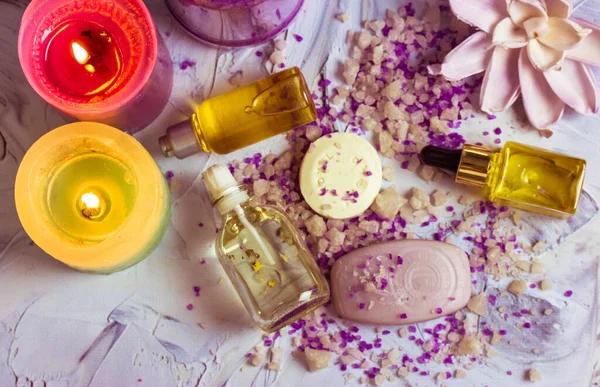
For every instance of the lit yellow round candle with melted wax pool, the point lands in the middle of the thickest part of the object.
(92, 197)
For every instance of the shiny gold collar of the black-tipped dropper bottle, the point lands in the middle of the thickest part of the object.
(473, 167)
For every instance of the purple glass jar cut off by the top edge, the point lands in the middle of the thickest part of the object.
(234, 23)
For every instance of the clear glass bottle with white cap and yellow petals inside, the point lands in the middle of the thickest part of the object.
(263, 255)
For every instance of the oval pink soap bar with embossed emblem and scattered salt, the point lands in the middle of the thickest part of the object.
(401, 282)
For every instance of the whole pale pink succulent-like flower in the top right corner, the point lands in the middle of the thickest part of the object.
(529, 48)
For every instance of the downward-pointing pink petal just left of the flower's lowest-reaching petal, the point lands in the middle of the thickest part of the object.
(500, 88)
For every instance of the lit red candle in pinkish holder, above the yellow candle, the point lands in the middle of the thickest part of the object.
(96, 60)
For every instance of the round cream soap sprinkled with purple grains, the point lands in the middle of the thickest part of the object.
(340, 175)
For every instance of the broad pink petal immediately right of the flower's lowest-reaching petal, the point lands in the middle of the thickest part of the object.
(575, 85)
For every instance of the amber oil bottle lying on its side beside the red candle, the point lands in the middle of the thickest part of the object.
(242, 117)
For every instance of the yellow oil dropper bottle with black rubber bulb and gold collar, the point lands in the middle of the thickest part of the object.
(517, 175)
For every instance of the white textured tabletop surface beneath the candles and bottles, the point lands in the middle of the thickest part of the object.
(59, 327)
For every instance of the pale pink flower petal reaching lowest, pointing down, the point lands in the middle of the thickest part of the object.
(542, 106)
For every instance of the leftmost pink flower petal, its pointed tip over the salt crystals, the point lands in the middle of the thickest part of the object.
(468, 58)
